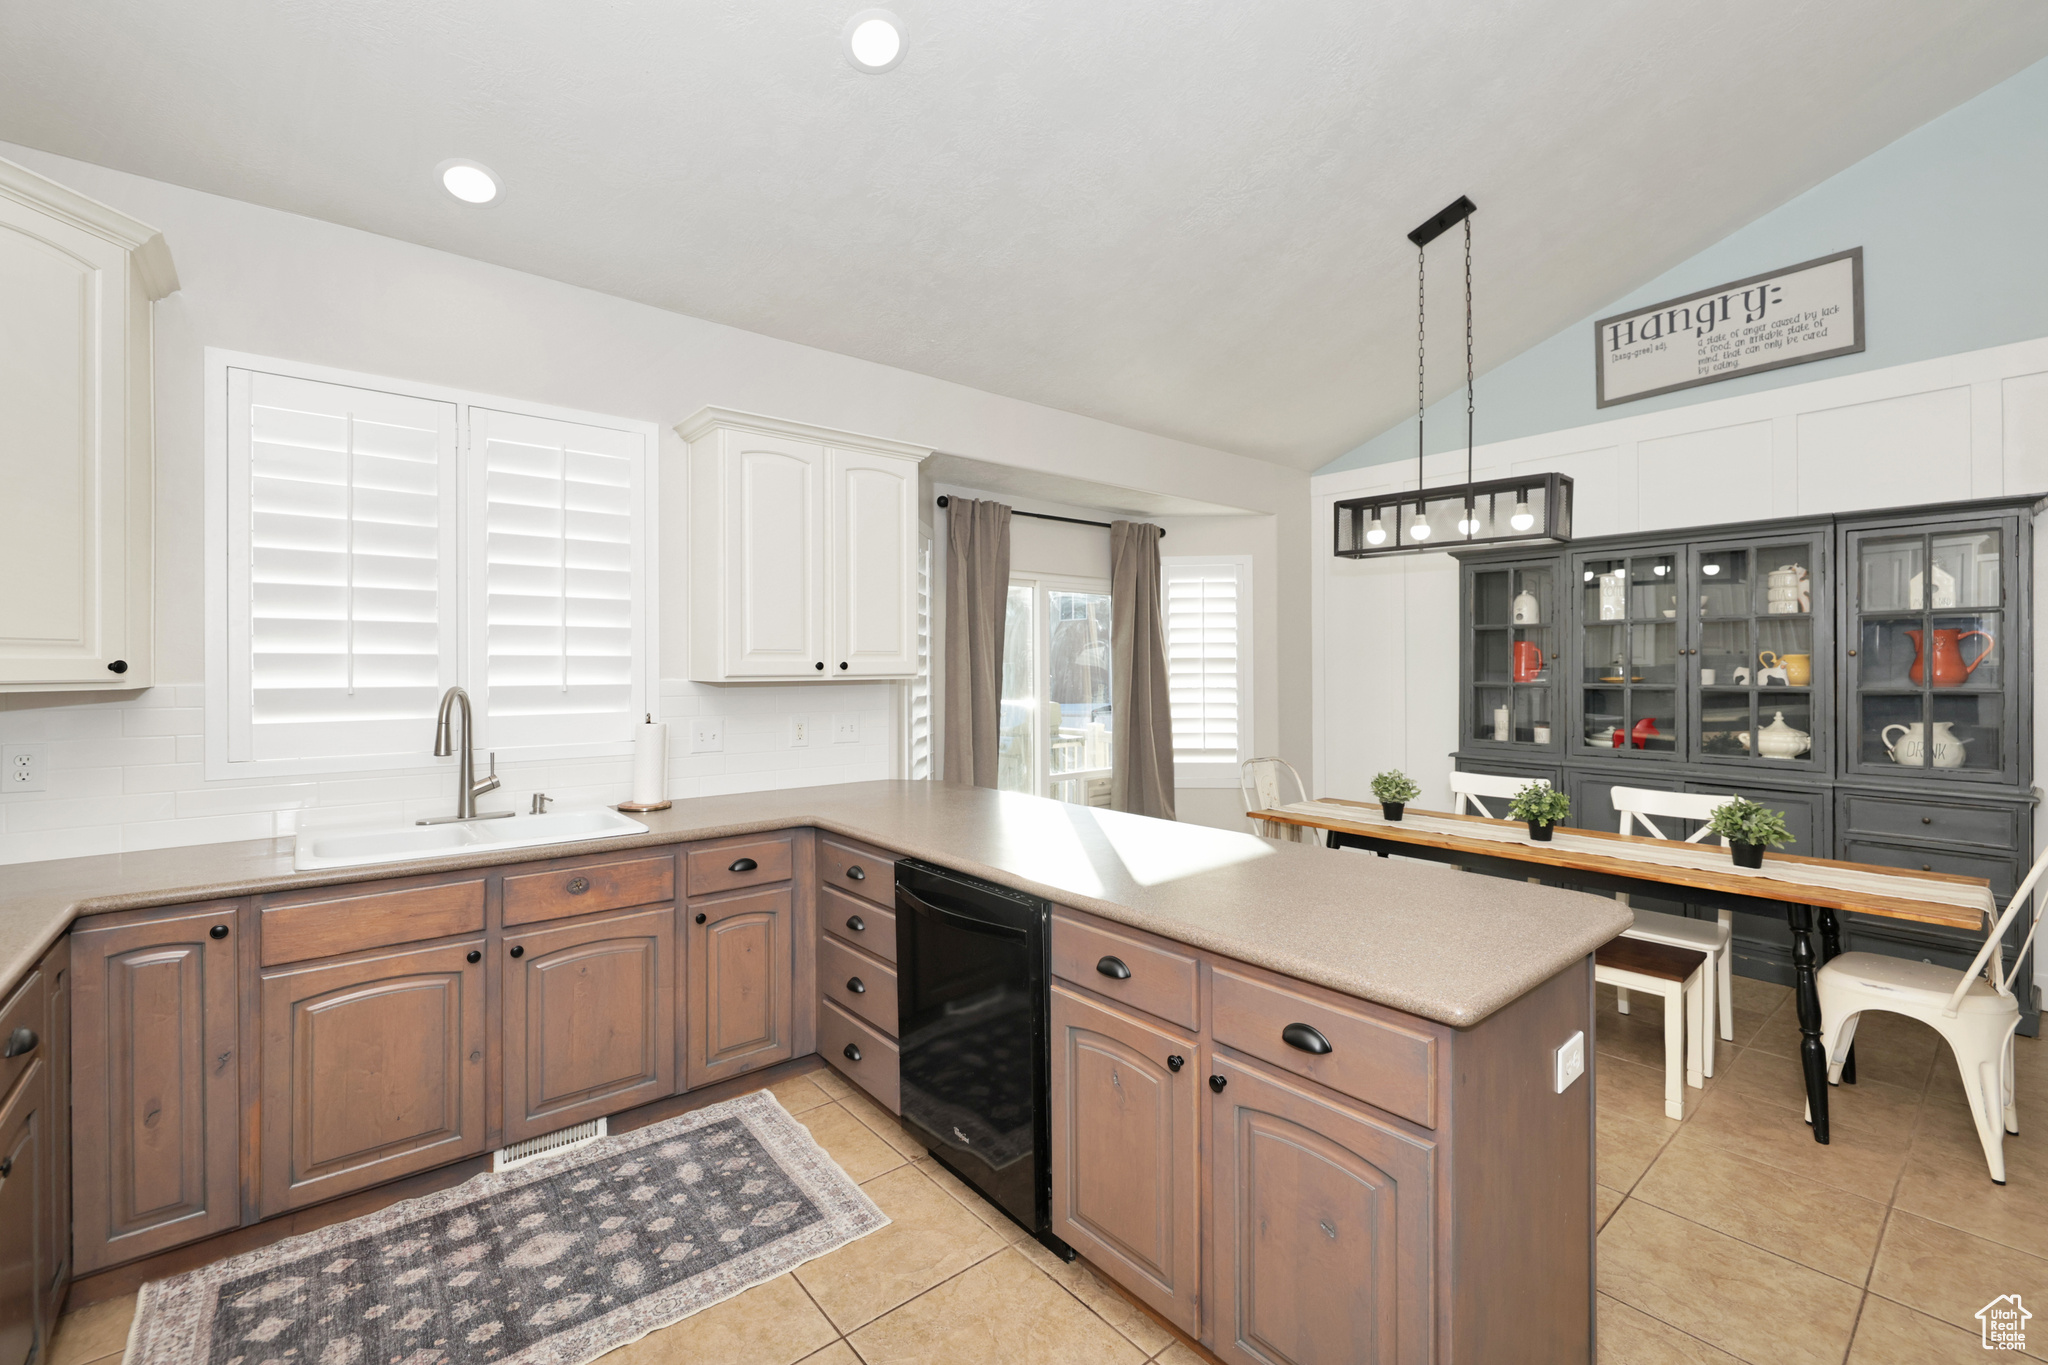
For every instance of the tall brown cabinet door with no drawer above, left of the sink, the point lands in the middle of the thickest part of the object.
(157, 1088)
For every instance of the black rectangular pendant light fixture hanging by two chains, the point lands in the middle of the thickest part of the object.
(1398, 523)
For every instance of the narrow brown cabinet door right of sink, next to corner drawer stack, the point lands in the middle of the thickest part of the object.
(740, 985)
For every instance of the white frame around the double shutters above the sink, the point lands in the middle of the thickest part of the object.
(648, 685)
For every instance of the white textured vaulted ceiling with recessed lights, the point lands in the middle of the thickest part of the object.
(1183, 218)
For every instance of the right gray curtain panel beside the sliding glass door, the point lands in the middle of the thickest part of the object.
(1142, 779)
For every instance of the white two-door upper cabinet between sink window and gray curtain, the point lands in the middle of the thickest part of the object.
(802, 552)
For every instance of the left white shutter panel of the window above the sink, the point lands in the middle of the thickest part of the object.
(341, 570)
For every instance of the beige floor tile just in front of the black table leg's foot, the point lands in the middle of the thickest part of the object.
(1803, 1221)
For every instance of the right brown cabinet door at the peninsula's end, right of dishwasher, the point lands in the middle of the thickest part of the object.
(1322, 1231)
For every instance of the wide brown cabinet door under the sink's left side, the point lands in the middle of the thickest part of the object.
(372, 1069)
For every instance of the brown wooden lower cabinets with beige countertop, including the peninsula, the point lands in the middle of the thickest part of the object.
(1418, 1135)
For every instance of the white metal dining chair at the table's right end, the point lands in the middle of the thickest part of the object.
(1975, 1012)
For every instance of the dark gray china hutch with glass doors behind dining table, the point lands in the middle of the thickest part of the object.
(1867, 674)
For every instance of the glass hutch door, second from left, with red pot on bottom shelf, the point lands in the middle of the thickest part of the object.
(1629, 656)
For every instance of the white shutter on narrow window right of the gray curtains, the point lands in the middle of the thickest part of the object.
(1203, 666)
